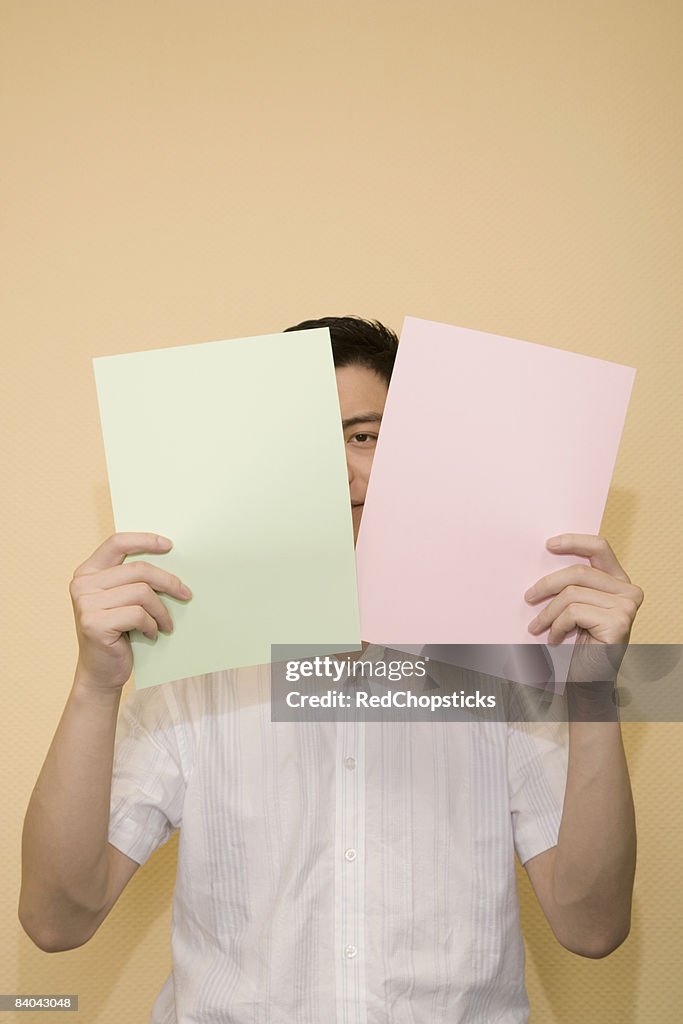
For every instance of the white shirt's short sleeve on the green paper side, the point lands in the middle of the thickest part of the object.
(148, 782)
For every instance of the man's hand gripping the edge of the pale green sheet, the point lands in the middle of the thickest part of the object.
(111, 596)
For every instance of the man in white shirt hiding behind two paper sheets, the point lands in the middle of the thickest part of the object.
(332, 871)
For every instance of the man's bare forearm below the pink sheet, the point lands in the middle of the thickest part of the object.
(595, 860)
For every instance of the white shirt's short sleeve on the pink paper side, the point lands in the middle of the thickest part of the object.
(538, 758)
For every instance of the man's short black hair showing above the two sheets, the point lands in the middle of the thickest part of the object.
(359, 343)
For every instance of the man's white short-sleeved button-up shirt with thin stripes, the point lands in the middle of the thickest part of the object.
(347, 872)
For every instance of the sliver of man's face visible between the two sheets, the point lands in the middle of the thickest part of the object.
(362, 397)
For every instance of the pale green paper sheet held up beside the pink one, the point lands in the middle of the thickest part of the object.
(235, 451)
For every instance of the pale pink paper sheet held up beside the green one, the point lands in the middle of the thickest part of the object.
(489, 446)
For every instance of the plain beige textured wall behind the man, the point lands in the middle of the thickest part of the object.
(188, 172)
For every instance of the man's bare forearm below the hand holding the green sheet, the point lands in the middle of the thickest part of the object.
(65, 842)
